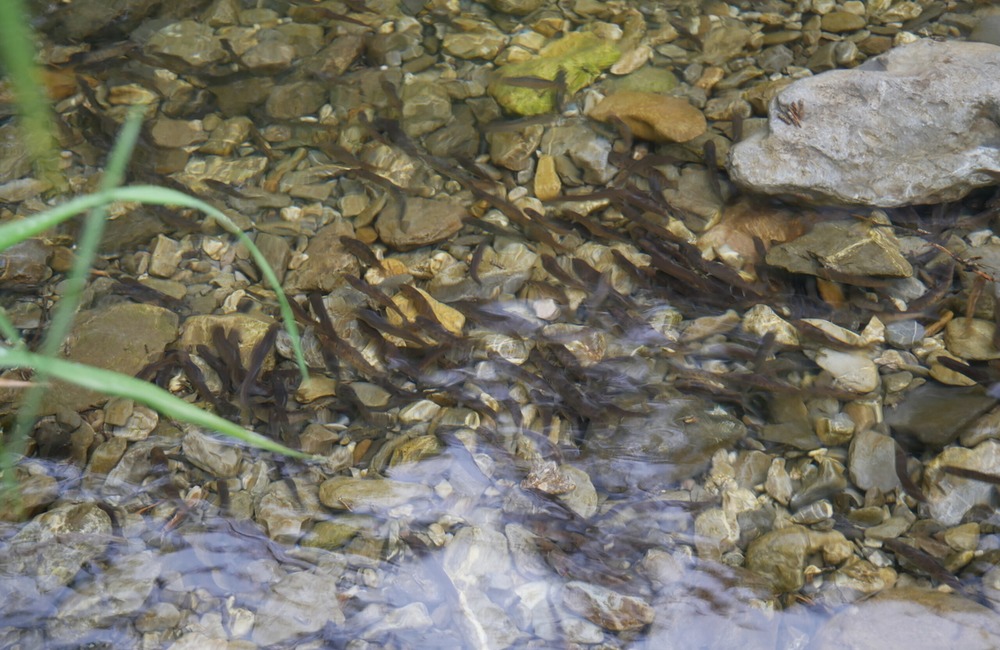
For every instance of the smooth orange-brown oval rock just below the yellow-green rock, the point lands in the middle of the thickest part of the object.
(653, 117)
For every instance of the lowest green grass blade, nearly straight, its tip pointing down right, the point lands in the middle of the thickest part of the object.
(119, 385)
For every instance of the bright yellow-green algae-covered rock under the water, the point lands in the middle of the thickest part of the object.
(582, 56)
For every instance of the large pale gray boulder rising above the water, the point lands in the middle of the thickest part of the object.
(919, 124)
